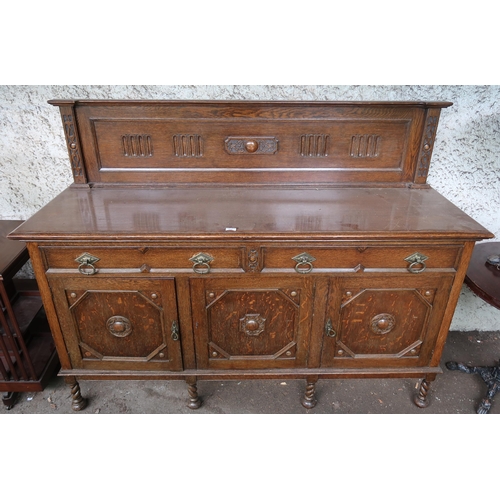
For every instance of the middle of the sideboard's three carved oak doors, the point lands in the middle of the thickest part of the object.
(258, 323)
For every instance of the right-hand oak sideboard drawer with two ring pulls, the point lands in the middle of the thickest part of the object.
(309, 258)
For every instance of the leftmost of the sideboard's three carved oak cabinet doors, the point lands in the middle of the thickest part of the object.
(119, 323)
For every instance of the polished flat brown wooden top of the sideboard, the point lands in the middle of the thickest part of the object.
(180, 213)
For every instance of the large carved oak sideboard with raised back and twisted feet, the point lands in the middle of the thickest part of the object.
(207, 240)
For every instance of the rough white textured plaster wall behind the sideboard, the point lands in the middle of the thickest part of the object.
(34, 164)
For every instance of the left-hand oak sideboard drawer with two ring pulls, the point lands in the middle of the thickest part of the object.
(144, 259)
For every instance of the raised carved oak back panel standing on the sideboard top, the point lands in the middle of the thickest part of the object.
(296, 143)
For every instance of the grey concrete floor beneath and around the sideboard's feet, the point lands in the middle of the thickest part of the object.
(452, 392)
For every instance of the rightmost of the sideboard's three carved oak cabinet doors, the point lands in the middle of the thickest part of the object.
(383, 321)
